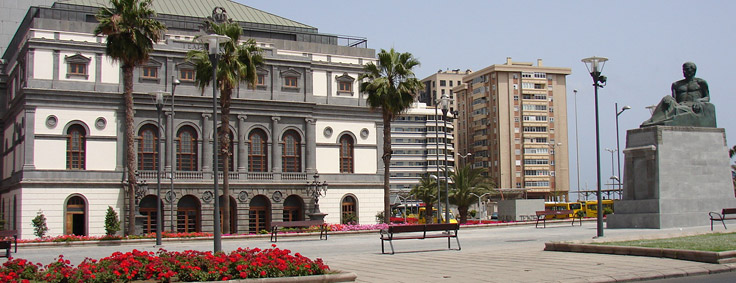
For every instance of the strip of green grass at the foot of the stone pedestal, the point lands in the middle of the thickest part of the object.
(716, 242)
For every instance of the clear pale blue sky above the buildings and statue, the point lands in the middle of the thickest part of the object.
(646, 43)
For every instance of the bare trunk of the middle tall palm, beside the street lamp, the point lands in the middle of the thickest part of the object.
(225, 145)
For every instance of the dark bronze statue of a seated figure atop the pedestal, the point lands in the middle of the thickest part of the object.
(689, 104)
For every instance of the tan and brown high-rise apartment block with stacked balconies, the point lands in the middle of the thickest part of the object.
(513, 119)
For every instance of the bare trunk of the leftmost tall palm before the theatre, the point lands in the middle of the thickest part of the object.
(130, 163)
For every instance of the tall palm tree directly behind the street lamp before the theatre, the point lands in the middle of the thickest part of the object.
(237, 63)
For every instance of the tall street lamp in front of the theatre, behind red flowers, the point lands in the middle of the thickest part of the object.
(214, 41)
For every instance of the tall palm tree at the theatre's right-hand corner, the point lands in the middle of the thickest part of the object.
(391, 86)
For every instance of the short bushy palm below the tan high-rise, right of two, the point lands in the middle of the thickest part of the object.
(468, 180)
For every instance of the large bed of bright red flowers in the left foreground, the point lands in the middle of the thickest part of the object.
(165, 266)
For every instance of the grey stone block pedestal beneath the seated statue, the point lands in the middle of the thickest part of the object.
(673, 176)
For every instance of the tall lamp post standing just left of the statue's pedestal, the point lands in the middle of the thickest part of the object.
(595, 67)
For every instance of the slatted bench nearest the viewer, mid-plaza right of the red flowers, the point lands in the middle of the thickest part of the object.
(419, 232)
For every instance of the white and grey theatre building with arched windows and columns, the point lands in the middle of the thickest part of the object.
(63, 113)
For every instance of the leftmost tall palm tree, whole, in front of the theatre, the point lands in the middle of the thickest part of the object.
(131, 30)
